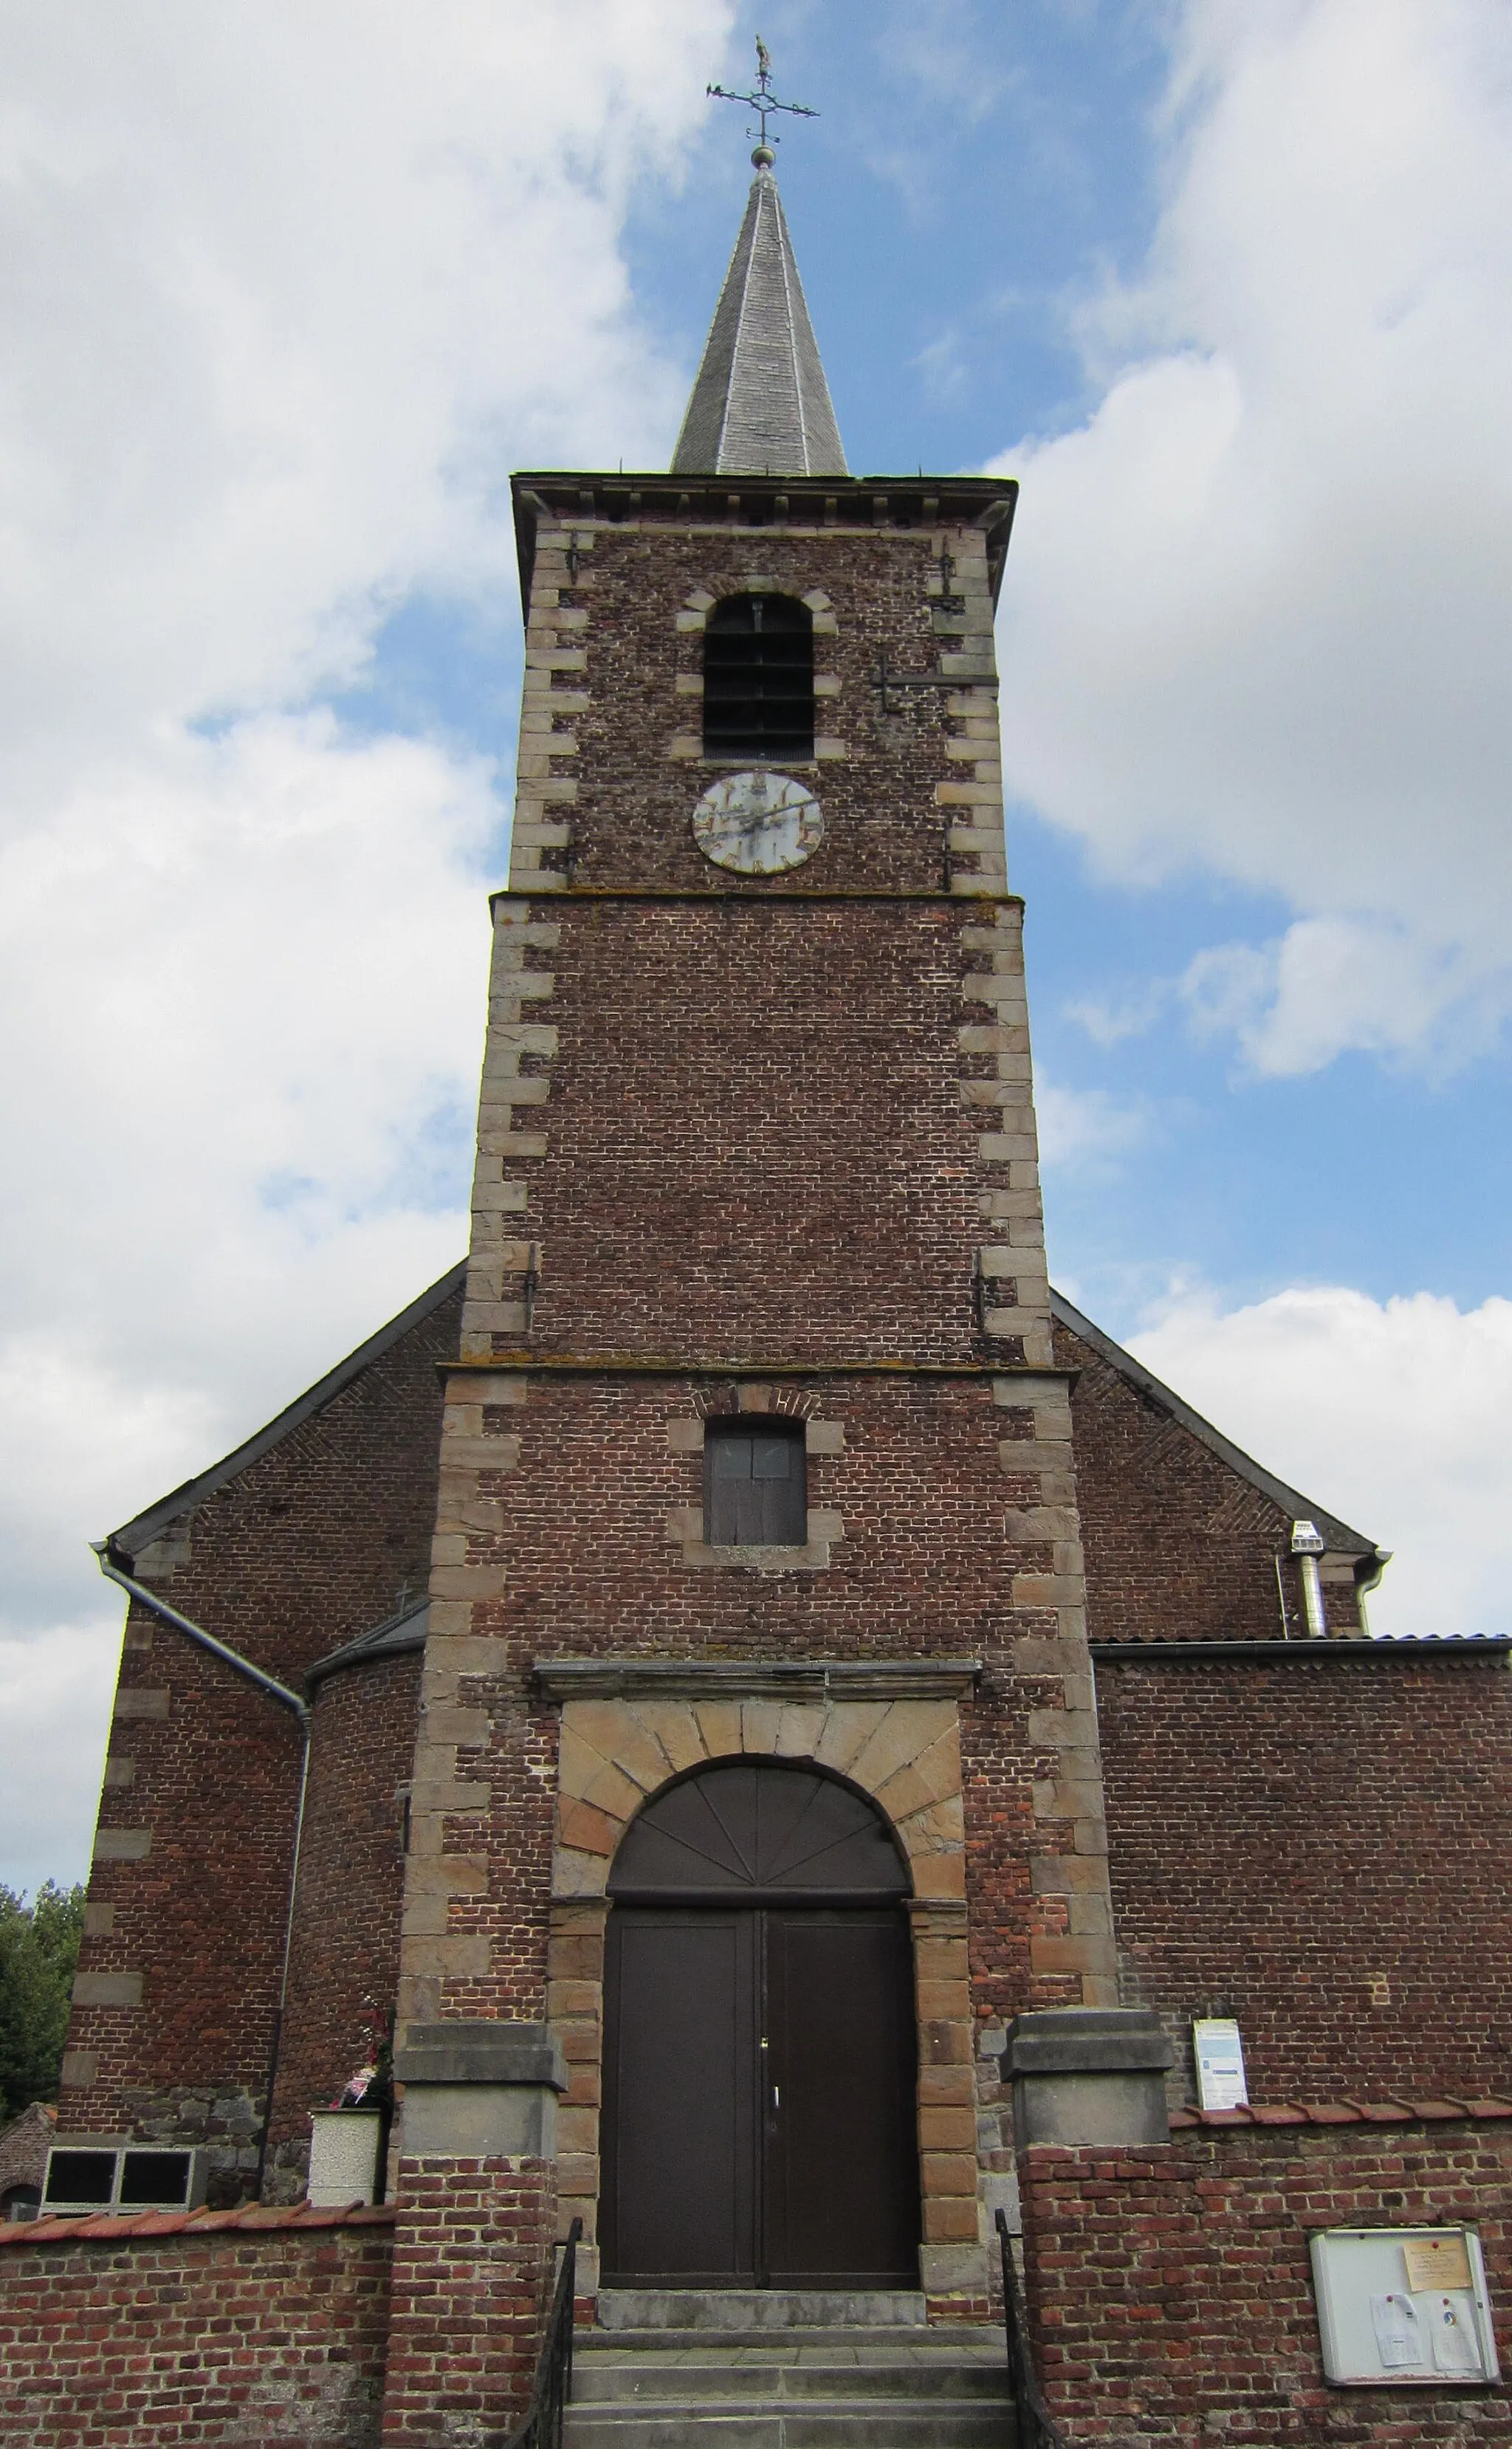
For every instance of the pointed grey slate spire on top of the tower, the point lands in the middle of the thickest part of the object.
(761, 403)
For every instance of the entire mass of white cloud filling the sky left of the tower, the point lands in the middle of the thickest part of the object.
(285, 293)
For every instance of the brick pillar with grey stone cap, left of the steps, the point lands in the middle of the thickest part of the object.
(477, 2227)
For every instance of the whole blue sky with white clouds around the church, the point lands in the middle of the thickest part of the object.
(288, 290)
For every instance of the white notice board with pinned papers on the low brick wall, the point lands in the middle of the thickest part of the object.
(1403, 2308)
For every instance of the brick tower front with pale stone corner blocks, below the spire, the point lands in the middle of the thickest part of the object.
(761, 1145)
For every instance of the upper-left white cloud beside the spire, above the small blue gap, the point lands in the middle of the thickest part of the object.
(288, 293)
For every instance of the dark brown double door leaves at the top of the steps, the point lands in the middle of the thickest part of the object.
(761, 2083)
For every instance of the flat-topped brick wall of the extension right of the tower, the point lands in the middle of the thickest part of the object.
(1320, 1850)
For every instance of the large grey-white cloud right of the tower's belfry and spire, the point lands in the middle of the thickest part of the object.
(1258, 611)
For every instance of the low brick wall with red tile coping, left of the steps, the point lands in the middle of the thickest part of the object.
(232, 2328)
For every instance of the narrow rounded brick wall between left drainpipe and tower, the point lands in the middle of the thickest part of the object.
(344, 1965)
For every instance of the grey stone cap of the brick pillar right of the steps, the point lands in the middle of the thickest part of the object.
(1089, 2076)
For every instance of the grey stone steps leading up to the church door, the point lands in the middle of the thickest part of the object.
(768, 2369)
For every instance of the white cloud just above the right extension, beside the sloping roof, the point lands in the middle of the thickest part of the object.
(1391, 1414)
